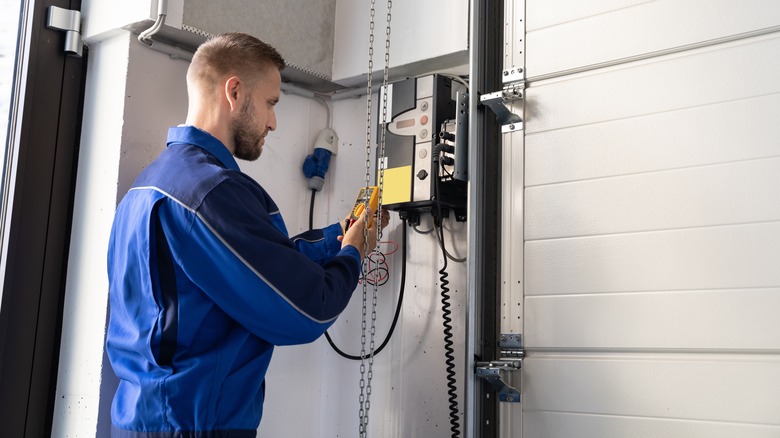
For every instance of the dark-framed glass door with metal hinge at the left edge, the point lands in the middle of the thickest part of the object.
(41, 96)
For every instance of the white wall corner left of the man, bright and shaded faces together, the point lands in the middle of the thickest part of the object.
(133, 94)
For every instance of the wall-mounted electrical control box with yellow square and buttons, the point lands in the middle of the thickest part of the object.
(425, 149)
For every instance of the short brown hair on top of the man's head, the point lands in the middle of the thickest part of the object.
(232, 53)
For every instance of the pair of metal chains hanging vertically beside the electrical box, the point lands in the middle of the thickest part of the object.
(366, 376)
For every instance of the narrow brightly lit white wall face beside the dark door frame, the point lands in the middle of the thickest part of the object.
(81, 351)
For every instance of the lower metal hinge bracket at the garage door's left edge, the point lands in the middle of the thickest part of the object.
(512, 353)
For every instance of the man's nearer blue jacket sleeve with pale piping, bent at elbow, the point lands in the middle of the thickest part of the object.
(232, 251)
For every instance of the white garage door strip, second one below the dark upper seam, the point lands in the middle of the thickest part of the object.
(700, 135)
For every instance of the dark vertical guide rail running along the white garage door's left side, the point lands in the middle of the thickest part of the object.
(484, 213)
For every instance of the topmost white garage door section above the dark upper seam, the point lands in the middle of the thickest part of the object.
(561, 37)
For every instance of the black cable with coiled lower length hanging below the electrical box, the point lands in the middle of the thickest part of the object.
(449, 350)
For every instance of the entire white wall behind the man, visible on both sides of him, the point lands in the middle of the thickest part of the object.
(133, 95)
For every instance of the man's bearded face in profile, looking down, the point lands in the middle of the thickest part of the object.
(256, 117)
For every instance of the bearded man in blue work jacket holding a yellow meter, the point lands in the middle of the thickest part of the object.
(203, 278)
